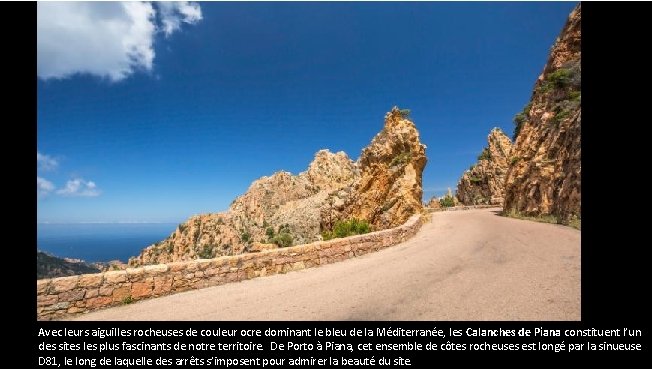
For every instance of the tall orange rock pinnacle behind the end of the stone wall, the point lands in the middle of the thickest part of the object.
(389, 189)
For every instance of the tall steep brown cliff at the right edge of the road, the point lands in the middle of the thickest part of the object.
(545, 177)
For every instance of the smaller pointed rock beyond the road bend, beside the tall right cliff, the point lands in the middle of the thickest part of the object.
(484, 182)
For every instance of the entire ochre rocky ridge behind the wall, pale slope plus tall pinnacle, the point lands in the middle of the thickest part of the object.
(383, 187)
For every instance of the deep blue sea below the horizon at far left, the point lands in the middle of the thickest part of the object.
(99, 242)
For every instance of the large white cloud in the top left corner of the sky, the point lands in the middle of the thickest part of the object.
(106, 39)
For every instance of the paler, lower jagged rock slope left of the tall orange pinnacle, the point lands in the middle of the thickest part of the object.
(281, 201)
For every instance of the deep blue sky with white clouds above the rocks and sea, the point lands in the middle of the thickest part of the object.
(205, 98)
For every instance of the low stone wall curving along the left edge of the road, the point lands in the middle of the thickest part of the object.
(67, 296)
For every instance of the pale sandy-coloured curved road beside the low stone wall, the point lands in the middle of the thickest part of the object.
(462, 265)
